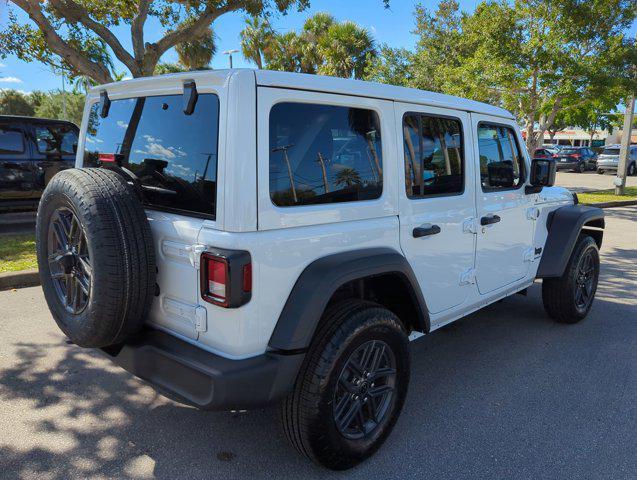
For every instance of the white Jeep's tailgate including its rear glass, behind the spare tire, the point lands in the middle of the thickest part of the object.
(174, 156)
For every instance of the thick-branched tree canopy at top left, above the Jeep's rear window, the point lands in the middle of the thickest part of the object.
(77, 36)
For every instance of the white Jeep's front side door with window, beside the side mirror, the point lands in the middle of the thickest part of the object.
(505, 212)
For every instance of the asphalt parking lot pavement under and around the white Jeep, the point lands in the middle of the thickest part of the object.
(504, 393)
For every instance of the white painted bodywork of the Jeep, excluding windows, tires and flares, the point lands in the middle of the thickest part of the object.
(282, 241)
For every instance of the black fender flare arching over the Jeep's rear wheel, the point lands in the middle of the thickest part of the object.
(321, 278)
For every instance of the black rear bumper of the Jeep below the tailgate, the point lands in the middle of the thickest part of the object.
(202, 379)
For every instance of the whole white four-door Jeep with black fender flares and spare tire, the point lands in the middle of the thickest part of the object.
(237, 238)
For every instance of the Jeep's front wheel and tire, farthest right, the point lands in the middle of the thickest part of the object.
(569, 298)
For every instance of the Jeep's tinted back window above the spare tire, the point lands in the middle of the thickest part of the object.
(173, 154)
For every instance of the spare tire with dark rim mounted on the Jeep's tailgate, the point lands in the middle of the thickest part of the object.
(95, 255)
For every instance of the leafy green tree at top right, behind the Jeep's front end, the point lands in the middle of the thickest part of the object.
(538, 59)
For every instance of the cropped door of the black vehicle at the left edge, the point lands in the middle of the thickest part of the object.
(16, 174)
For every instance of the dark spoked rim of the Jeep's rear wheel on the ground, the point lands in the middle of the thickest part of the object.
(365, 390)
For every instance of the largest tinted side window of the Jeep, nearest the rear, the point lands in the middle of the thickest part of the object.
(324, 154)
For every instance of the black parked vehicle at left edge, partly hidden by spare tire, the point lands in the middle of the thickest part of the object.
(32, 151)
